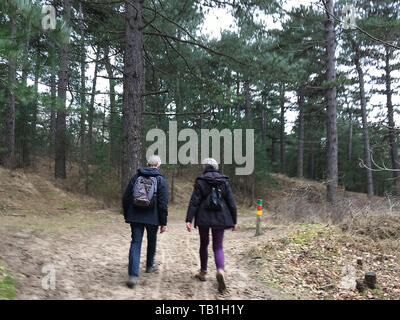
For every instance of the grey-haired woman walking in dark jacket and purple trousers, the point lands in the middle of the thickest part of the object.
(212, 206)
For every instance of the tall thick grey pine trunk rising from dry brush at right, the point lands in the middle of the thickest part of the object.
(331, 113)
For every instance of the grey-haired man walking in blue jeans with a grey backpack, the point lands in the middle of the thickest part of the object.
(145, 205)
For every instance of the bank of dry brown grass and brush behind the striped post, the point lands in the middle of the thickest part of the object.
(301, 200)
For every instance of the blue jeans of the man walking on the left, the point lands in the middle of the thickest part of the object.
(136, 245)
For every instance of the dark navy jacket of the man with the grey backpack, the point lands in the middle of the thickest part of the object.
(157, 215)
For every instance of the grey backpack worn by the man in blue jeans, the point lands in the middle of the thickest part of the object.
(144, 192)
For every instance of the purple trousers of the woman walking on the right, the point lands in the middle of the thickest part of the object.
(218, 239)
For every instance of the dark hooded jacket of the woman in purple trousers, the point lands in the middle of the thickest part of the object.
(226, 217)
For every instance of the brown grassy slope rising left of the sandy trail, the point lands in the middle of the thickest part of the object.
(31, 201)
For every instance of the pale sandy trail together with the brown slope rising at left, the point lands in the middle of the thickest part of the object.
(44, 228)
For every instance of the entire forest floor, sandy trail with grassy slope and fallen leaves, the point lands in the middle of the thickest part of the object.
(43, 227)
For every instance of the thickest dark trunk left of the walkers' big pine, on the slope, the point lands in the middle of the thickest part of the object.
(61, 126)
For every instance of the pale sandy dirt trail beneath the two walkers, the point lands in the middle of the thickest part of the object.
(92, 264)
